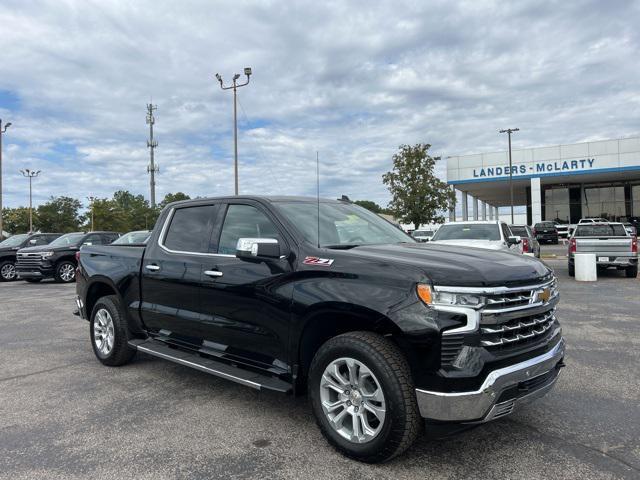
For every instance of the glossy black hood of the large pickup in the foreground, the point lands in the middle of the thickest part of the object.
(457, 266)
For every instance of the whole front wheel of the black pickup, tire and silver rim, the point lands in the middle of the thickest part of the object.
(363, 397)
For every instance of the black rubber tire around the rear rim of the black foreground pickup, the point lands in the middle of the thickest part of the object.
(120, 352)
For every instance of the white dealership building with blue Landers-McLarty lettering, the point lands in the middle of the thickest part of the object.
(562, 182)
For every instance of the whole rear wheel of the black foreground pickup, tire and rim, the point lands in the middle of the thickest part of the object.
(109, 332)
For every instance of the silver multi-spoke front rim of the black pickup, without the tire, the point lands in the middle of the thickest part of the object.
(352, 400)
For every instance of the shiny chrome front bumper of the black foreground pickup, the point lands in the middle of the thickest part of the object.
(482, 405)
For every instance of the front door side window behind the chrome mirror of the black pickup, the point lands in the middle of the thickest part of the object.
(244, 221)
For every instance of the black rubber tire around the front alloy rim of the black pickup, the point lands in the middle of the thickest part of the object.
(402, 422)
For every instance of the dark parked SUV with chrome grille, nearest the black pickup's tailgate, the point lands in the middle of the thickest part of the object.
(57, 259)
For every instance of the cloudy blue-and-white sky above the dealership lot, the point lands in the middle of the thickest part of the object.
(352, 80)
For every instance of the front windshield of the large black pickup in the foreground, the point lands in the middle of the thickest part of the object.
(341, 224)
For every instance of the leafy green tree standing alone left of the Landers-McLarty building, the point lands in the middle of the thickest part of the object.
(418, 196)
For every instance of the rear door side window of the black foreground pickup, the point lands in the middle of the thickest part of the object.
(189, 229)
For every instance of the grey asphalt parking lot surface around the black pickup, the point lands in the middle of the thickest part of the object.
(64, 415)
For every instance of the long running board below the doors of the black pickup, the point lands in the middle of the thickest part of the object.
(213, 367)
